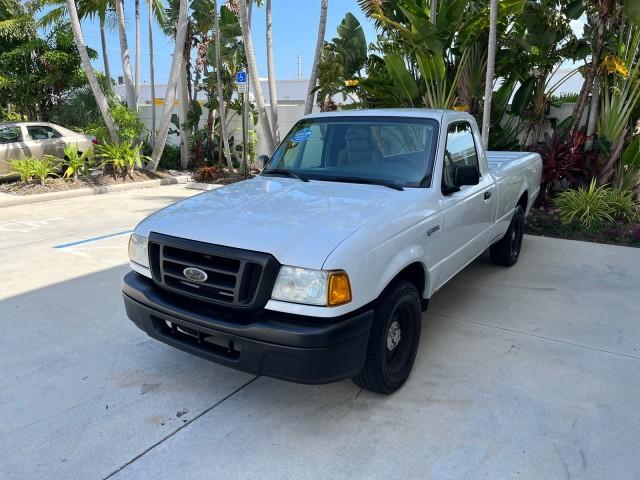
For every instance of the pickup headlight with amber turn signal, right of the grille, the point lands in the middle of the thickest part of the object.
(312, 287)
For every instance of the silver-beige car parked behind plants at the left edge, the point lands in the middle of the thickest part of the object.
(36, 139)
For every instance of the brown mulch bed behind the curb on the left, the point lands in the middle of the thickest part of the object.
(61, 184)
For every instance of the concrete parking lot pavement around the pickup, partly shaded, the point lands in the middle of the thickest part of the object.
(531, 372)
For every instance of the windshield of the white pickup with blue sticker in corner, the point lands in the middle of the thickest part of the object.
(389, 151)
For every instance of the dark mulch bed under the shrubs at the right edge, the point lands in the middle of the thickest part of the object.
(545, 222)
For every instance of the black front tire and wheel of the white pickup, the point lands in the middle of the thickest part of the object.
(393, 340)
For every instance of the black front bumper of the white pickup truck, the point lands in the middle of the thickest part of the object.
(290, 347)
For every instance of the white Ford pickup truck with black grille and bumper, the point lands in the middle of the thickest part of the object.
(319, 268)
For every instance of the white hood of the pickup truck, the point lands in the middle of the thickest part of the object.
(299, 223)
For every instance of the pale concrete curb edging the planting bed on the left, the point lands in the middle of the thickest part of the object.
(83, 192)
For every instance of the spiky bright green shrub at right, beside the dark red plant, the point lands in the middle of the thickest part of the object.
(595, 205)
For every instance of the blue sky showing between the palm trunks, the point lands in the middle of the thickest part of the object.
(295, 30)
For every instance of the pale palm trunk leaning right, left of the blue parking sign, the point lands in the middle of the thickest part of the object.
(170, 96)
